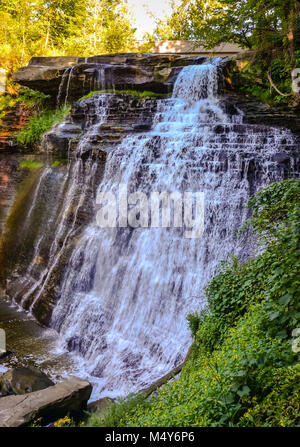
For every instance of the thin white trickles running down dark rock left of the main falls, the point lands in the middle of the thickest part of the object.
(72, 192)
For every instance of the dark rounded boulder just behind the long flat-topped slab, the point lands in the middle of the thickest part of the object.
(23, 380)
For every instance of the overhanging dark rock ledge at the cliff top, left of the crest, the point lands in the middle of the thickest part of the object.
(78, 76)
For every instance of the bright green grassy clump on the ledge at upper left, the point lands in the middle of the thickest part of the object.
(40, 124)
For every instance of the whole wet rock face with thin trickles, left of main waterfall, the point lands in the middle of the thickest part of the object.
(40, 253)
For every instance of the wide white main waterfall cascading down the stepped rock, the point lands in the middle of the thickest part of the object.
(127, 291)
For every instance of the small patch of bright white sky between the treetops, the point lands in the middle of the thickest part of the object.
(145, 23)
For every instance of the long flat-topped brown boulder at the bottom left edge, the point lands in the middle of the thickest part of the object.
(68, 397)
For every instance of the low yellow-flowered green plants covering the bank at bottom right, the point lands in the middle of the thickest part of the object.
(221, 388)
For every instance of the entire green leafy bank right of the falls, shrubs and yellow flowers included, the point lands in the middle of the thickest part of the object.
(244, 368)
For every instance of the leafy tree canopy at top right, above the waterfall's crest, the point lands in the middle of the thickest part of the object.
(255, 24)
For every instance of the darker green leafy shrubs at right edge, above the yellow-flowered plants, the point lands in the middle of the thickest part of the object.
(272, 276)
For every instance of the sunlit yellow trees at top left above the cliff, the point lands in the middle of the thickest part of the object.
(61, 28)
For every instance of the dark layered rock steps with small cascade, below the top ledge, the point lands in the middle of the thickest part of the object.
(100, 123)
